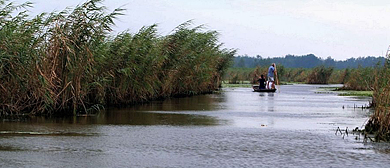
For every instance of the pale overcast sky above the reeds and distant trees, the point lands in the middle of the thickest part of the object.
(270, 28)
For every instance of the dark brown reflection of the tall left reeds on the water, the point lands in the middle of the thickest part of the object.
(174, 111)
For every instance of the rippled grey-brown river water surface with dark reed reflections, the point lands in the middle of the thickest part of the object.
(294, 127)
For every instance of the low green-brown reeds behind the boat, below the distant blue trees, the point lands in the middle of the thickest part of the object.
(352, 78)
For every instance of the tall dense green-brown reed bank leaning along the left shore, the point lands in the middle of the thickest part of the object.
(67, 63)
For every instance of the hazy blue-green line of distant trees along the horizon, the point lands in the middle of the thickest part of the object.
(306, 61)
